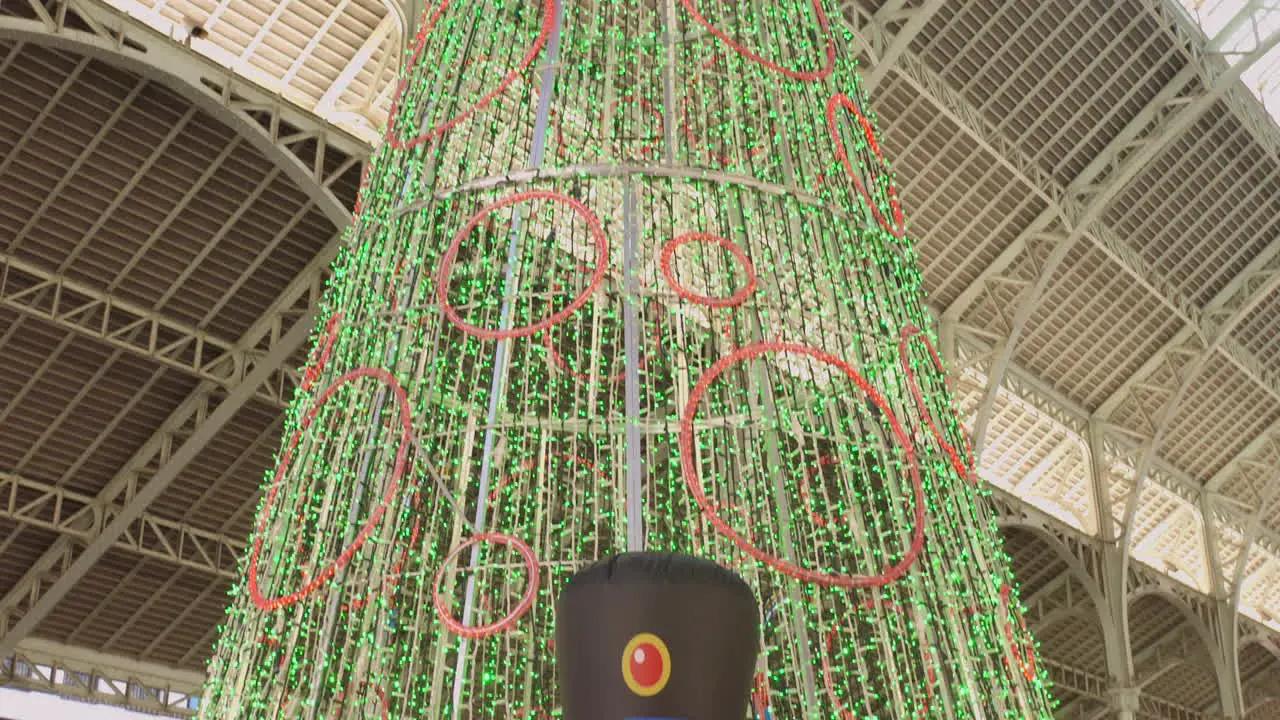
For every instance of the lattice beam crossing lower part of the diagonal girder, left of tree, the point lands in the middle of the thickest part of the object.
(44, 505)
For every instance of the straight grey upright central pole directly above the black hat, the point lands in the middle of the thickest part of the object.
(632, 338)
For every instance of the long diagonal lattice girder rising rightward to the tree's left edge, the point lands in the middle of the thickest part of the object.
(190, 427)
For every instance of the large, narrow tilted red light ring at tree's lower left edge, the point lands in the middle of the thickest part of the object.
(328, 573)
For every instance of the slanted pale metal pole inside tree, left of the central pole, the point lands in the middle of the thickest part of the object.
(502, 350)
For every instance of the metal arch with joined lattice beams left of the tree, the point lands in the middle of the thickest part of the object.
(231, 372)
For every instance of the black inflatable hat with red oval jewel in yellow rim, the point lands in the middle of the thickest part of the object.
(657, 636)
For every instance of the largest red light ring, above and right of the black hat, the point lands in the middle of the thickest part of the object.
(694, 481)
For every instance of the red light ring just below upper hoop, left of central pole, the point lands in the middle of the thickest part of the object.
(451, 256)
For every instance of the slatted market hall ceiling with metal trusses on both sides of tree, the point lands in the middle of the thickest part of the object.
(1094, 195)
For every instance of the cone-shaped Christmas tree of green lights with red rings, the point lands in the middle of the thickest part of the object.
(624, 274)
